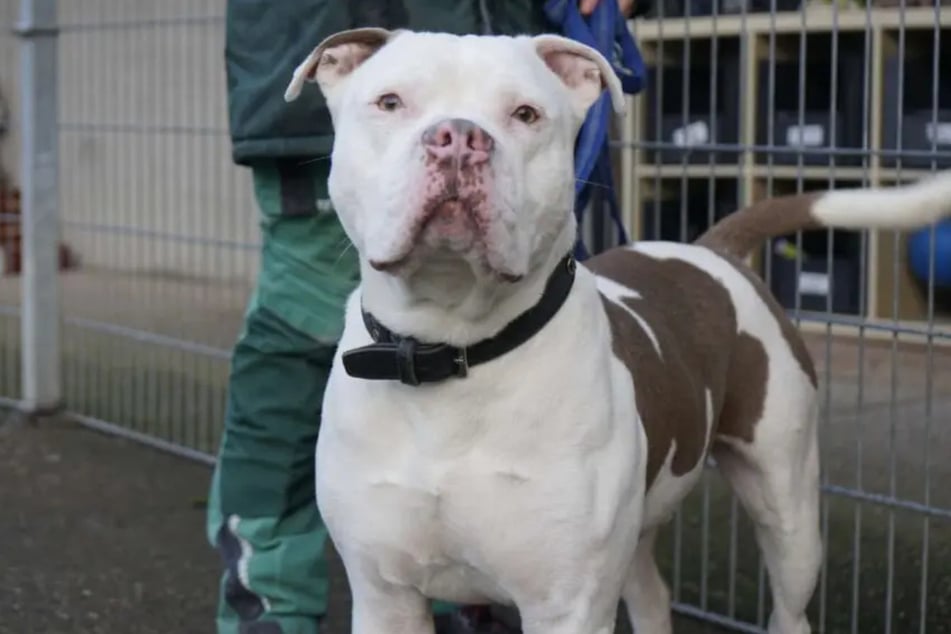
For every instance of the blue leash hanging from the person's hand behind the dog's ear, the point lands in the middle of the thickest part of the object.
(605, 30)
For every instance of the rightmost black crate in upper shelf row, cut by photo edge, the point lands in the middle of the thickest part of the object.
(919, 125)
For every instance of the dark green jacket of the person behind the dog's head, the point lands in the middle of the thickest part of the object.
(266, 39)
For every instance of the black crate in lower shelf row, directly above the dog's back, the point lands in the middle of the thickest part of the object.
(671, 212)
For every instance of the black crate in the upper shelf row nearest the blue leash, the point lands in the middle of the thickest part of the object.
(705, 123)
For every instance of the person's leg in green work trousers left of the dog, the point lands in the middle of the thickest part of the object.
(262, 516)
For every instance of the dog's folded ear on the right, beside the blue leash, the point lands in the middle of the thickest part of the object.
(583, 70)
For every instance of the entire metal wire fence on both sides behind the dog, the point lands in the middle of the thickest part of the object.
(158, 239)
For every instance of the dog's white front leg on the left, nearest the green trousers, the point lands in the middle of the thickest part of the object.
(380, 608)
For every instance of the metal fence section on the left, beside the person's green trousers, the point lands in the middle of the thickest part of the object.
(158, 224)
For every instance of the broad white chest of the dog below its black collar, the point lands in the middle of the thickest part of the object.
(453, 494)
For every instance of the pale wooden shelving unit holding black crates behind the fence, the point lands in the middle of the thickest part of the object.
(725, 110)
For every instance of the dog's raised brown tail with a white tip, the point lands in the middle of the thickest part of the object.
(902, 207)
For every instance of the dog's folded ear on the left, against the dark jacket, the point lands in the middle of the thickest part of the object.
(335, 58)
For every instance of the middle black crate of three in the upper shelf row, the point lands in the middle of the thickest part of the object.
(819, 129)
